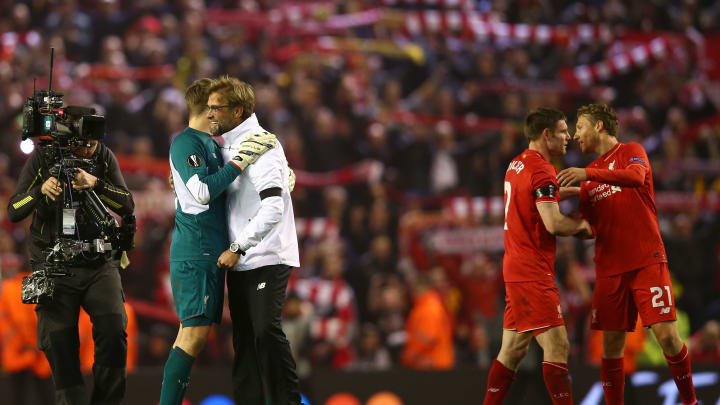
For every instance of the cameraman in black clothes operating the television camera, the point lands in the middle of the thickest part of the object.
(94, 282)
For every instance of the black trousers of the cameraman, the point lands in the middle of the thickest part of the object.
(99, 292)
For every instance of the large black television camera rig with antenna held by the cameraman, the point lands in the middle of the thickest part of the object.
(59, 131)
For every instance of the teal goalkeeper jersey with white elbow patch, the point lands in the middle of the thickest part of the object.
(200, 181)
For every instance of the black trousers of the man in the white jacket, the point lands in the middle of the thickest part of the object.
(263, 366)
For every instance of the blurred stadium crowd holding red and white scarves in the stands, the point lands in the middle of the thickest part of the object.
(388, 126)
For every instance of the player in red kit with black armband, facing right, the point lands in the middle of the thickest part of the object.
(532, 219)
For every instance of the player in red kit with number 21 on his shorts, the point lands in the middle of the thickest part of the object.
(618, 199)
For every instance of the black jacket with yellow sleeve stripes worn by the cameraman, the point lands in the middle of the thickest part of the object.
(28, 199)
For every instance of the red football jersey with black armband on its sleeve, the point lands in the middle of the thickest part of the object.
(529, 247)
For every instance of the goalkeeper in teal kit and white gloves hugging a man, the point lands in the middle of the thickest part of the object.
(200, 234)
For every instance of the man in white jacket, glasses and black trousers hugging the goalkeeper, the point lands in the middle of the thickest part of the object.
(262, 252)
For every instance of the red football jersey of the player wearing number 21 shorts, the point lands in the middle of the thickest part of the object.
(618, 200)
